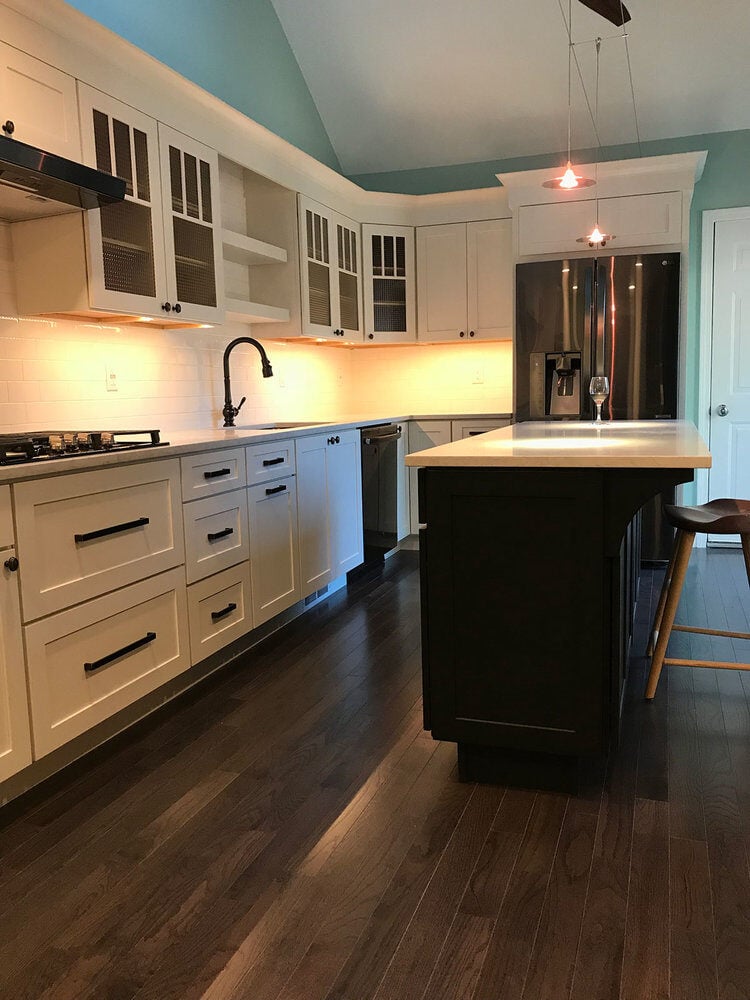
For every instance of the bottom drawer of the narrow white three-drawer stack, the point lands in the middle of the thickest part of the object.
(219, 611)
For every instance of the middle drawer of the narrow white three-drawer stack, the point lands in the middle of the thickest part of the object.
(215, 534)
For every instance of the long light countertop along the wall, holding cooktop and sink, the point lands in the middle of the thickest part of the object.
(186, 441)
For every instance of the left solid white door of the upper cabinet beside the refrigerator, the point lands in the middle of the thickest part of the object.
(441, 282)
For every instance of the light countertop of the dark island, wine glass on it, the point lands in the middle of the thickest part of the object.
(673, 444)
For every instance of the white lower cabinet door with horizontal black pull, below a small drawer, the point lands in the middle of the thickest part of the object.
(274, 563)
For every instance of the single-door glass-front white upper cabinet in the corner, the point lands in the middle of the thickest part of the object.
(389, 284)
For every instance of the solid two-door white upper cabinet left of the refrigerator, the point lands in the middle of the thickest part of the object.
(464, 275)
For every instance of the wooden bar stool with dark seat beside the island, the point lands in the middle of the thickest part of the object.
(719, 517)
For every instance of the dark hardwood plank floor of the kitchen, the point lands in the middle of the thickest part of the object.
(289, 832)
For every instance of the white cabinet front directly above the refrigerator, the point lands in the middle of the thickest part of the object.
(642, 220)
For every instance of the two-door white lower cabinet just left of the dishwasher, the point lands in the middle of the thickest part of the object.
(329, 484)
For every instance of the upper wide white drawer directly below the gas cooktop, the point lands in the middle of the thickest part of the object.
(87, 533)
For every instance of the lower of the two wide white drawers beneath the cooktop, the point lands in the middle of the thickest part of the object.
(89, 662)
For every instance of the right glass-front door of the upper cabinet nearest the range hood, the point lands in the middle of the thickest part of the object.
(189, 173)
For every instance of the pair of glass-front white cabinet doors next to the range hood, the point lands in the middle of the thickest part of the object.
(157, 252)
